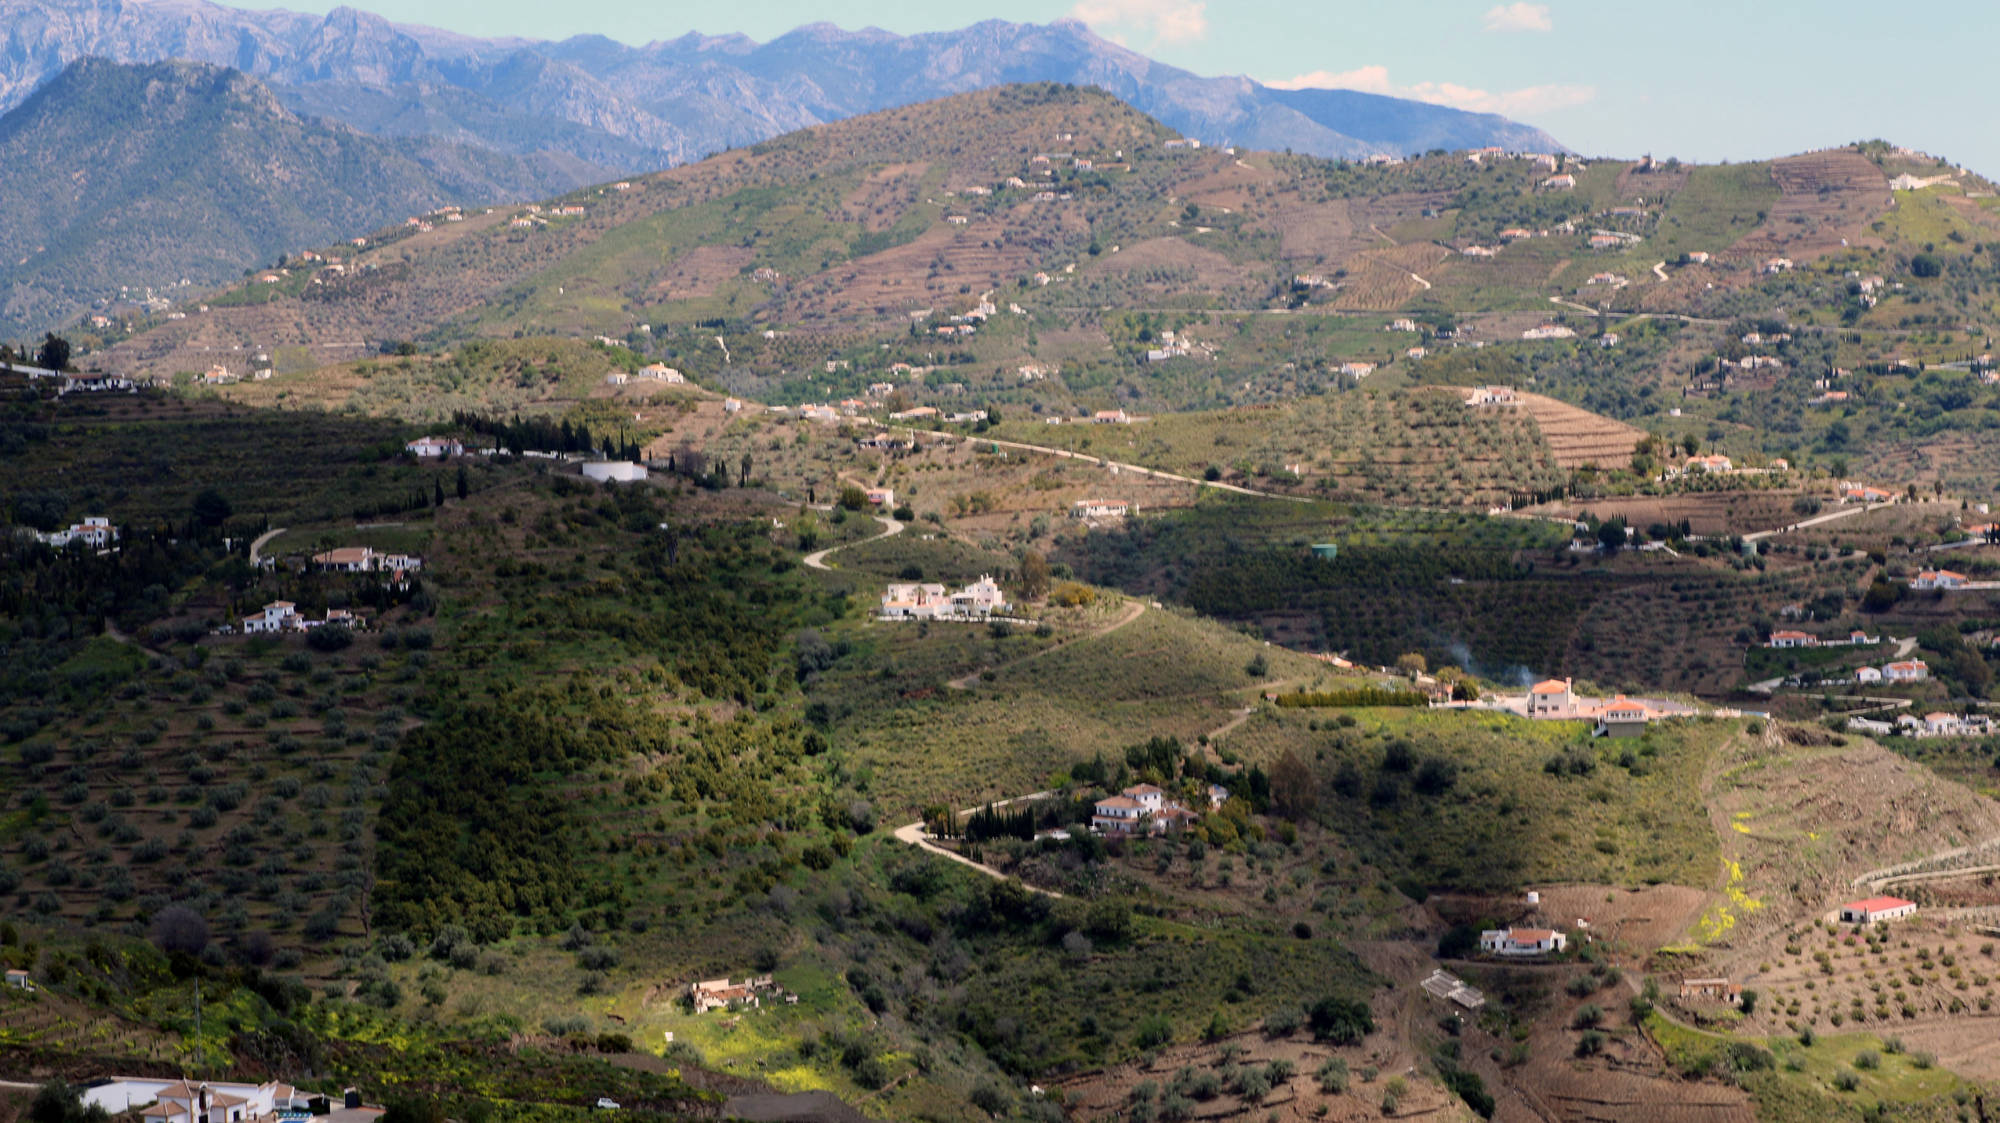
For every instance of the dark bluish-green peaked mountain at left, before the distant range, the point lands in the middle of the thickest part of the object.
(179, 177)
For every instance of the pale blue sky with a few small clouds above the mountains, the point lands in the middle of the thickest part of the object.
(1695, 79)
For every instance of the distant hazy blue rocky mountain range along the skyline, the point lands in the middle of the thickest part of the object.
(637, 109)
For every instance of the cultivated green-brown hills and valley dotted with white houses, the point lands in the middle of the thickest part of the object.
(989, 610)
